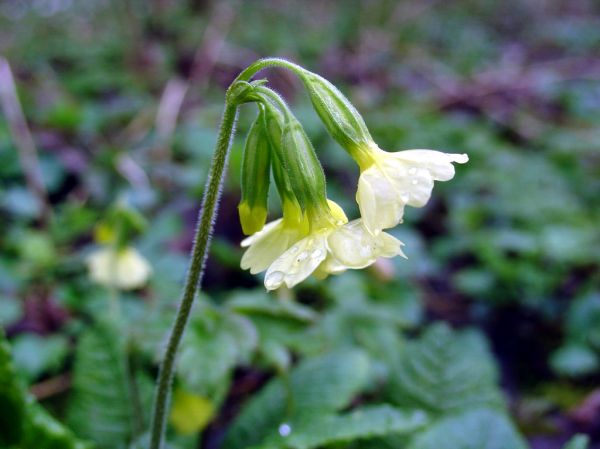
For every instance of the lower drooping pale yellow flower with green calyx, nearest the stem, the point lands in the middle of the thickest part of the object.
(314, 235)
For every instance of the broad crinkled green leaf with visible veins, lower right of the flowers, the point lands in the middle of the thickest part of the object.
(445, 371)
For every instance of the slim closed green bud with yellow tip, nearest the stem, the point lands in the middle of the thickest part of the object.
(256, 163)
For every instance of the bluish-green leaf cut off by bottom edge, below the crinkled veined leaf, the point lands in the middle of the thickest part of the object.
(474, 429)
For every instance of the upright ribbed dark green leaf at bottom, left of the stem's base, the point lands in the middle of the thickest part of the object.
(101, 408)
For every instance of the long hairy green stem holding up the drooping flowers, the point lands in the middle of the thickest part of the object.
(204, 228)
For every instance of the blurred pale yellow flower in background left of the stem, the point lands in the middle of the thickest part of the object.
(125, 269)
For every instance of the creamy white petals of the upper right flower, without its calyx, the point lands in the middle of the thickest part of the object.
(390, 181)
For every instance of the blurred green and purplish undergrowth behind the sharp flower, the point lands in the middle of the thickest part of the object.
(486, 337)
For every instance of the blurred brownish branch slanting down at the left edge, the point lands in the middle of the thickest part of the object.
(22, 139)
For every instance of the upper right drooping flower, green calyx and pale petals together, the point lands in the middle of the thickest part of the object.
(388, 181)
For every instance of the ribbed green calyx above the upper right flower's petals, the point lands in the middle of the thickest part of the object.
(339, 116)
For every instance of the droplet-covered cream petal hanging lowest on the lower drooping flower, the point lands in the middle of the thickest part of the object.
(298, 262)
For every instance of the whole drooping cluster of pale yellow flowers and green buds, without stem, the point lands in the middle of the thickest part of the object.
(314, 235)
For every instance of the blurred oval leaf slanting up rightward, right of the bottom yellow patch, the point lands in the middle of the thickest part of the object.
(319, 385)
